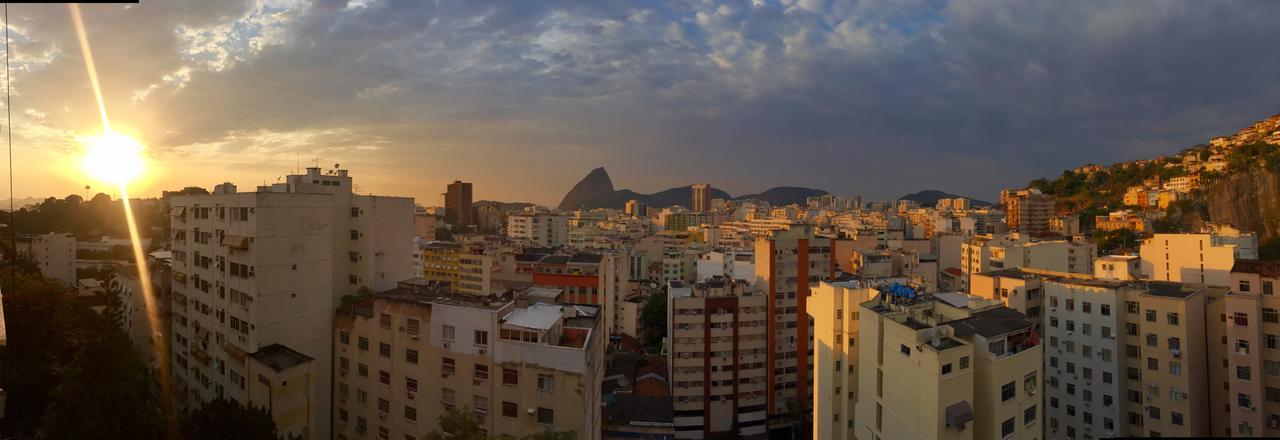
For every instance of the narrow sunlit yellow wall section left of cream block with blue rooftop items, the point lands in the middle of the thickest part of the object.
(835, 310)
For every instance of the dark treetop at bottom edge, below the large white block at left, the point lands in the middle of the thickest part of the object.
(225, 419)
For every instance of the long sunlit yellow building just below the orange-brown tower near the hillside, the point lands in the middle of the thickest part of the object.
(982, 254)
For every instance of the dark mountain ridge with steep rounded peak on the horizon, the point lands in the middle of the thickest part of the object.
(596, 191)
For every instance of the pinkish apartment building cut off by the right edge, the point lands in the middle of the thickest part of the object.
(1250, 352)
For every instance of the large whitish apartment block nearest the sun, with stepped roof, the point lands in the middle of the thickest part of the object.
(266, 268)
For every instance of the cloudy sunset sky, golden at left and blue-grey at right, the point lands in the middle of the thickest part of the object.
(876, 98)
